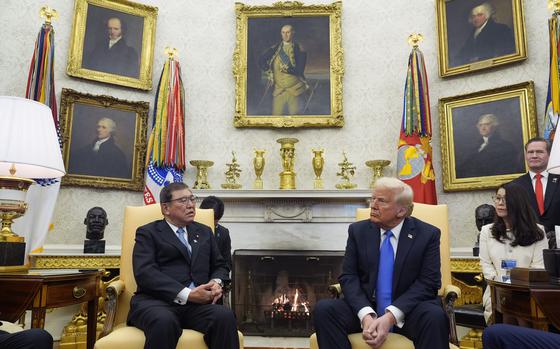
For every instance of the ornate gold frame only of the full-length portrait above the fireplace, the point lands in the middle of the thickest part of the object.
(336, 55)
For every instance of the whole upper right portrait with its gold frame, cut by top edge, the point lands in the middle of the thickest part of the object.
(478, 34)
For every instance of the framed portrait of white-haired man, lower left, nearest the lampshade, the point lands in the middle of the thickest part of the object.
(104, 141)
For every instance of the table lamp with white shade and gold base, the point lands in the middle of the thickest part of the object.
(29, 149)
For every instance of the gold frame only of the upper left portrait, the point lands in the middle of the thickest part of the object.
(75, 53)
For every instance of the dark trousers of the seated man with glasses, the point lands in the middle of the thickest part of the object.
(163, 325)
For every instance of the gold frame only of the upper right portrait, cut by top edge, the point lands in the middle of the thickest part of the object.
(520, 37)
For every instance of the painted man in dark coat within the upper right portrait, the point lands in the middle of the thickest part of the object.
(488, 39)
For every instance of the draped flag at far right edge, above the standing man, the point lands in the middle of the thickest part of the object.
(552, 110)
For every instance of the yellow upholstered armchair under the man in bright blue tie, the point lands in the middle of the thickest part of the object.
(436, 215)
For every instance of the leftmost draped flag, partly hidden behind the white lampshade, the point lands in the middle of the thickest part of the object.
(42, 195)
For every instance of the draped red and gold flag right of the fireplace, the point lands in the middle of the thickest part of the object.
(414, 159)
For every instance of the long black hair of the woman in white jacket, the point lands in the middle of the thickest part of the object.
(522, 217)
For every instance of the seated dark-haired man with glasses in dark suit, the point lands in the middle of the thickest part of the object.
(179, 272)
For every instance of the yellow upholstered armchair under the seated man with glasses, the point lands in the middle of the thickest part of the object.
(116, 334)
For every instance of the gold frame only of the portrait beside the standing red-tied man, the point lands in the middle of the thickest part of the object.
(524, 91)
